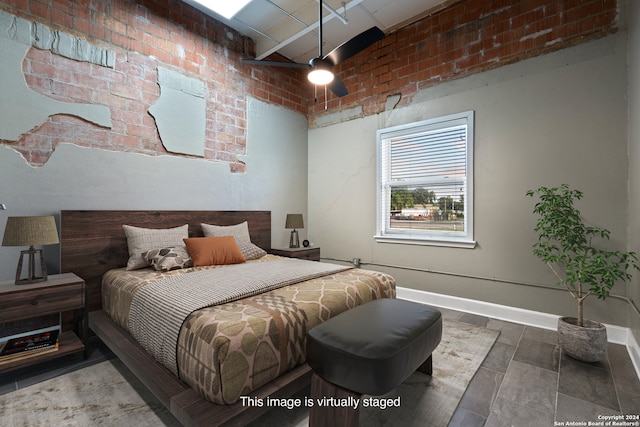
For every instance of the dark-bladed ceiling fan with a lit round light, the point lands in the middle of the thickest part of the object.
(321, 68)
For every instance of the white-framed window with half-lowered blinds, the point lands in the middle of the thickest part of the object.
(425, 182)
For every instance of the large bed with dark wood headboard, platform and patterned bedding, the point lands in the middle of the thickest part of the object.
(94, 246)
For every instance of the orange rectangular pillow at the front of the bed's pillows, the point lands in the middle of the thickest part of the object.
(214, 251)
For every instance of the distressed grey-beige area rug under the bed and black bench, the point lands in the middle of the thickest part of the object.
(107, 394)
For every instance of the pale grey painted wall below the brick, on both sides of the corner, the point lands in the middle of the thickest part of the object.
(557, 118)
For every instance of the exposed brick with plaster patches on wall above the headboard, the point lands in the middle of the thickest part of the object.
(144, 35)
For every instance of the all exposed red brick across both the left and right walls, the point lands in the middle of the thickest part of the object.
(469, 37)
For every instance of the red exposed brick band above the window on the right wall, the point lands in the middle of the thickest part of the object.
(468, 37)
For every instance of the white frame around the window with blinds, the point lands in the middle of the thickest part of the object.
(384, 232)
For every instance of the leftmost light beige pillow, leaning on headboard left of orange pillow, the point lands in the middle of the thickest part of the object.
(142, 240)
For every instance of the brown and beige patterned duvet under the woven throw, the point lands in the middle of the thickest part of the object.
(228, 350)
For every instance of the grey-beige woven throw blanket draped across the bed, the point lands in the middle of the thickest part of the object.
(159, 308)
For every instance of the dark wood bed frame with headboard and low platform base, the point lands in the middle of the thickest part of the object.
(93, 242)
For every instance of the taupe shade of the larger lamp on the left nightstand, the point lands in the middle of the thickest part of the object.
(30, 231)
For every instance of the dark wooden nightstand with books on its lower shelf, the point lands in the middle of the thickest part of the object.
(60, 293)
